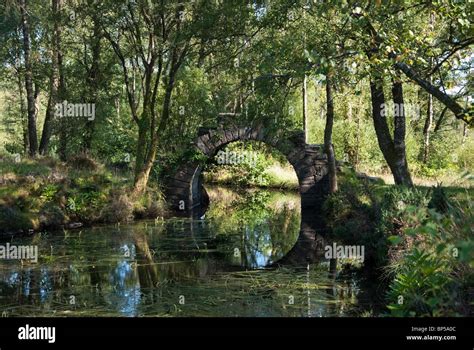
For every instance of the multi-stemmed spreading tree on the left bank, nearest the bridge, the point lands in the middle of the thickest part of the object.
(152, 44)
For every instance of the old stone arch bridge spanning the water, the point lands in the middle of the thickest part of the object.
(183, 189)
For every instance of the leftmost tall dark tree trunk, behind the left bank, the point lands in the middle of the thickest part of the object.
(30, 93)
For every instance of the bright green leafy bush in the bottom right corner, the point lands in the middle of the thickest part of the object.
(434, 275)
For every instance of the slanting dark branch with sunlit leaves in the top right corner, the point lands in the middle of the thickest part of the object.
(458, 38)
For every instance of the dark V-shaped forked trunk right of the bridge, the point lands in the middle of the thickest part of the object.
(392, 150)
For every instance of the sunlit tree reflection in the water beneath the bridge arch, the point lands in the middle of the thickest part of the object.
(263, 225)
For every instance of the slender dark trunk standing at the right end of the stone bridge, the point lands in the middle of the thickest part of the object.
(328, 146)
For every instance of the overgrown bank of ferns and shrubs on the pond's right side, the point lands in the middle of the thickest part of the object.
(419, 240)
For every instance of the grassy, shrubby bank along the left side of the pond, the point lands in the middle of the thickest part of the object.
(48, 194)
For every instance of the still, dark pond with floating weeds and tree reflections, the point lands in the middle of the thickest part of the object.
(245, 256)
